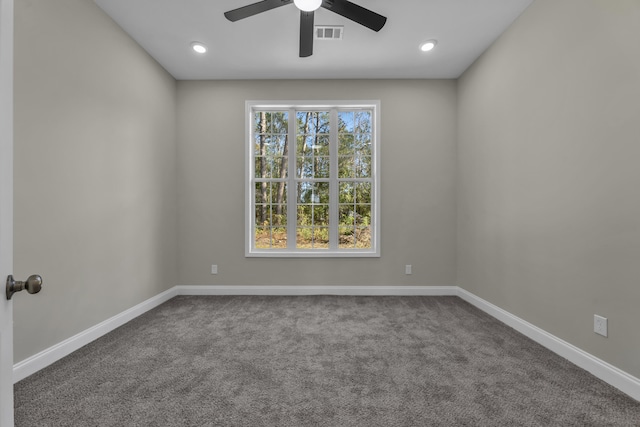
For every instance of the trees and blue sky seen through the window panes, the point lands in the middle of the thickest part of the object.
(312, 167)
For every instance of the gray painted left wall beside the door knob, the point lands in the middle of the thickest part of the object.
(95, 171)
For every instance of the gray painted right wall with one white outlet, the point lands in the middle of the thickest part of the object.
(549, 194)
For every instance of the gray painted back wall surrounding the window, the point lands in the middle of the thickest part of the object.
(417, 184)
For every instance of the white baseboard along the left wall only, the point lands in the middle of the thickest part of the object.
(46, 357)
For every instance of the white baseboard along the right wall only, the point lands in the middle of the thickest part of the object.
(599, 368)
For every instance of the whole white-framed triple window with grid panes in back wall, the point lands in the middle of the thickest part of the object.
(312, 179)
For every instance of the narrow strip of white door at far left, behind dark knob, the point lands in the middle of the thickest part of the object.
(6, 210)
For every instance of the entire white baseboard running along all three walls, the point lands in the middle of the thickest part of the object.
(599, 368)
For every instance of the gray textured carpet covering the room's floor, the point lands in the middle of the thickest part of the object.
(317, 361)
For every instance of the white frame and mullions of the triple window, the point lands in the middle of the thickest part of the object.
(332, 252)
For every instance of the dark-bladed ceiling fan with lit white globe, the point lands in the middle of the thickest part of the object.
(345, 8)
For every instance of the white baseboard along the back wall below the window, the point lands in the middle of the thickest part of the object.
(320, 290)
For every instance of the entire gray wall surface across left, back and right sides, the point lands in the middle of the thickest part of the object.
(548, 206)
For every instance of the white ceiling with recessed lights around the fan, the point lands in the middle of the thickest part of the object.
(265, 46)
